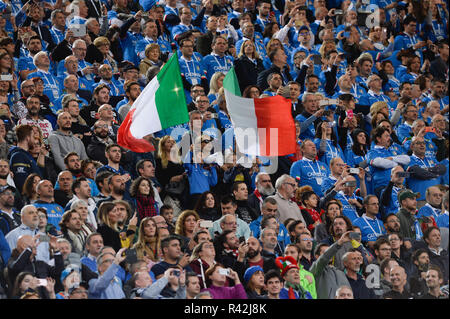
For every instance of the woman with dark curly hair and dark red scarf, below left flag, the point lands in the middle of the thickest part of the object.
(141, 191)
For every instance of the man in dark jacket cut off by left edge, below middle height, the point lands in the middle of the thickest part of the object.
(9, 216)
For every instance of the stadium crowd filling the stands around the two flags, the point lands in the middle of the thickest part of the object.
(359, 211)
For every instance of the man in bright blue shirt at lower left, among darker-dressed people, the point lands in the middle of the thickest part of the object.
(45, 192)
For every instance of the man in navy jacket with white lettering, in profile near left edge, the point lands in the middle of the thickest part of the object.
(21, 161)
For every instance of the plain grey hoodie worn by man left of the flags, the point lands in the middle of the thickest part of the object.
(62, 144)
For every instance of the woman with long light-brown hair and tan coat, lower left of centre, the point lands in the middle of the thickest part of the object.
(148, 243)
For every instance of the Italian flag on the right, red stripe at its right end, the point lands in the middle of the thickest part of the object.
(262, 126)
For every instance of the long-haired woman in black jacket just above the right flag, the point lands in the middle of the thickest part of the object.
(248, 65)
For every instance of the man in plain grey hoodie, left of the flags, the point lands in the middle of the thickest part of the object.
(63, 141)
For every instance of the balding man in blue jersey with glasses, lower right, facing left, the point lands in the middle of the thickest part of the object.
(371, 227)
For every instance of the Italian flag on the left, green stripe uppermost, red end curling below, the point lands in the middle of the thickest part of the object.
(160, 105)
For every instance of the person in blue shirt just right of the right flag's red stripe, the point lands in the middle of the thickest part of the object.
(327, 143)
